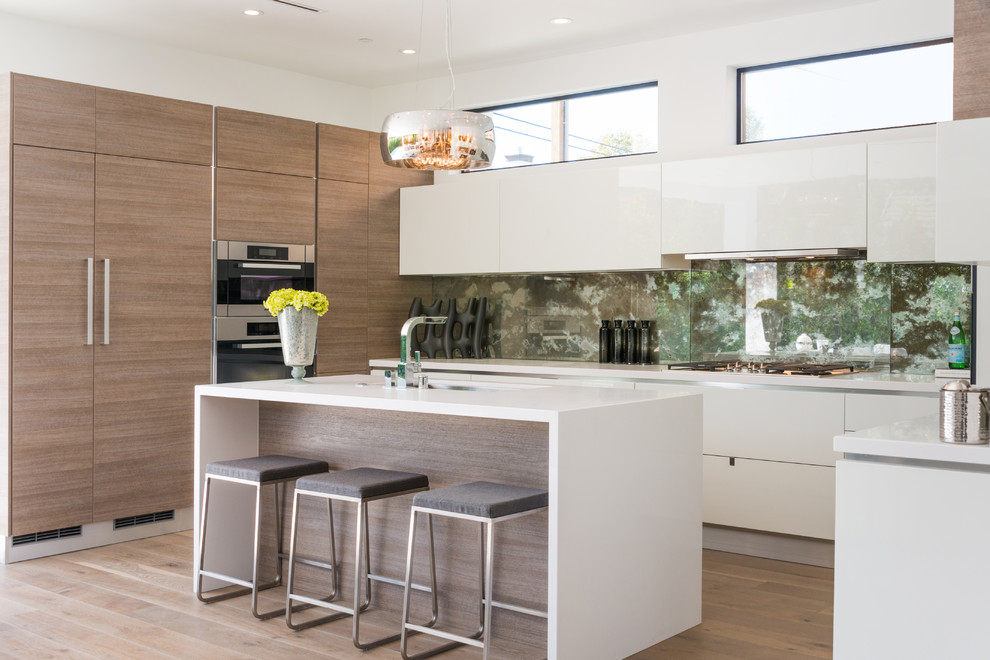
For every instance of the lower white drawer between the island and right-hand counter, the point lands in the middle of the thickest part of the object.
(765, 495)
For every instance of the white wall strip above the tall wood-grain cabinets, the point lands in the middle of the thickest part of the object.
(94, 58)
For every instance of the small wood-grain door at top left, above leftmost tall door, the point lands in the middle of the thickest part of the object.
(53, 113)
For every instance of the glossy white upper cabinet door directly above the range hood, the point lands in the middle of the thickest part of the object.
(800, 198)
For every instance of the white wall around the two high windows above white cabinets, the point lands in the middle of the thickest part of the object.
(696, 72)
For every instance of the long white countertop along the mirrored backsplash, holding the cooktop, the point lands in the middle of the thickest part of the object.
(863, 381)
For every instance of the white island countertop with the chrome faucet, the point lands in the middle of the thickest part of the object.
(499, 400)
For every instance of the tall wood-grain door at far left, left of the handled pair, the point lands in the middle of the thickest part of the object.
(52, 365)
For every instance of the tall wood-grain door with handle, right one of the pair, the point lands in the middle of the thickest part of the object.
(153, 226)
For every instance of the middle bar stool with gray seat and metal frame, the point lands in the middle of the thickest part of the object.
(360, 486)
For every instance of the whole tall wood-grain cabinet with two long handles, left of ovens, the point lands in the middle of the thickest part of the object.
(100, 398)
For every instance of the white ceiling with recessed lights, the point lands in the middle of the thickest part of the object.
(328, 44)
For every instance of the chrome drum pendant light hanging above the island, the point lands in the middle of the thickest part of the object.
(441, 139)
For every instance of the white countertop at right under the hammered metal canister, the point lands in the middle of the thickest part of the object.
(916, 439)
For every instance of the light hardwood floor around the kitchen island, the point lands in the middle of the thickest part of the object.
(134, 600)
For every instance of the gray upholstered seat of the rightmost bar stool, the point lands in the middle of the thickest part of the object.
(483, 499)
